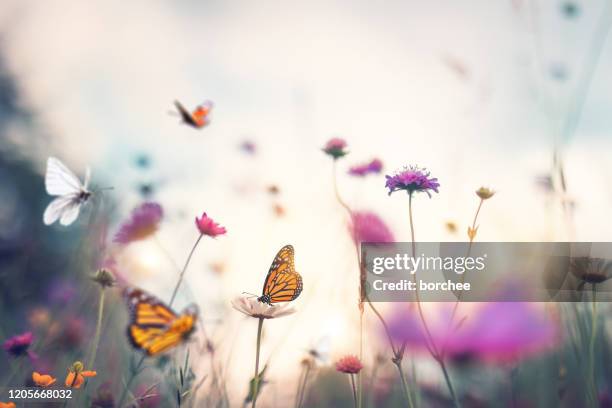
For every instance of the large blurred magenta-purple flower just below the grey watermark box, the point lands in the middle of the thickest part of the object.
(493, 331)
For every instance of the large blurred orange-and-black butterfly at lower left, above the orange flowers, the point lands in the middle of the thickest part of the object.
(154, 327)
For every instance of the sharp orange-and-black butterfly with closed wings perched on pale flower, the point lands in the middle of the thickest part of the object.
(283, 283)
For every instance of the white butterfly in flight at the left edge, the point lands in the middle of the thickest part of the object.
(72, 194)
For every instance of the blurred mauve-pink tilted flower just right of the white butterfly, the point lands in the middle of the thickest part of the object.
(143, 222)
